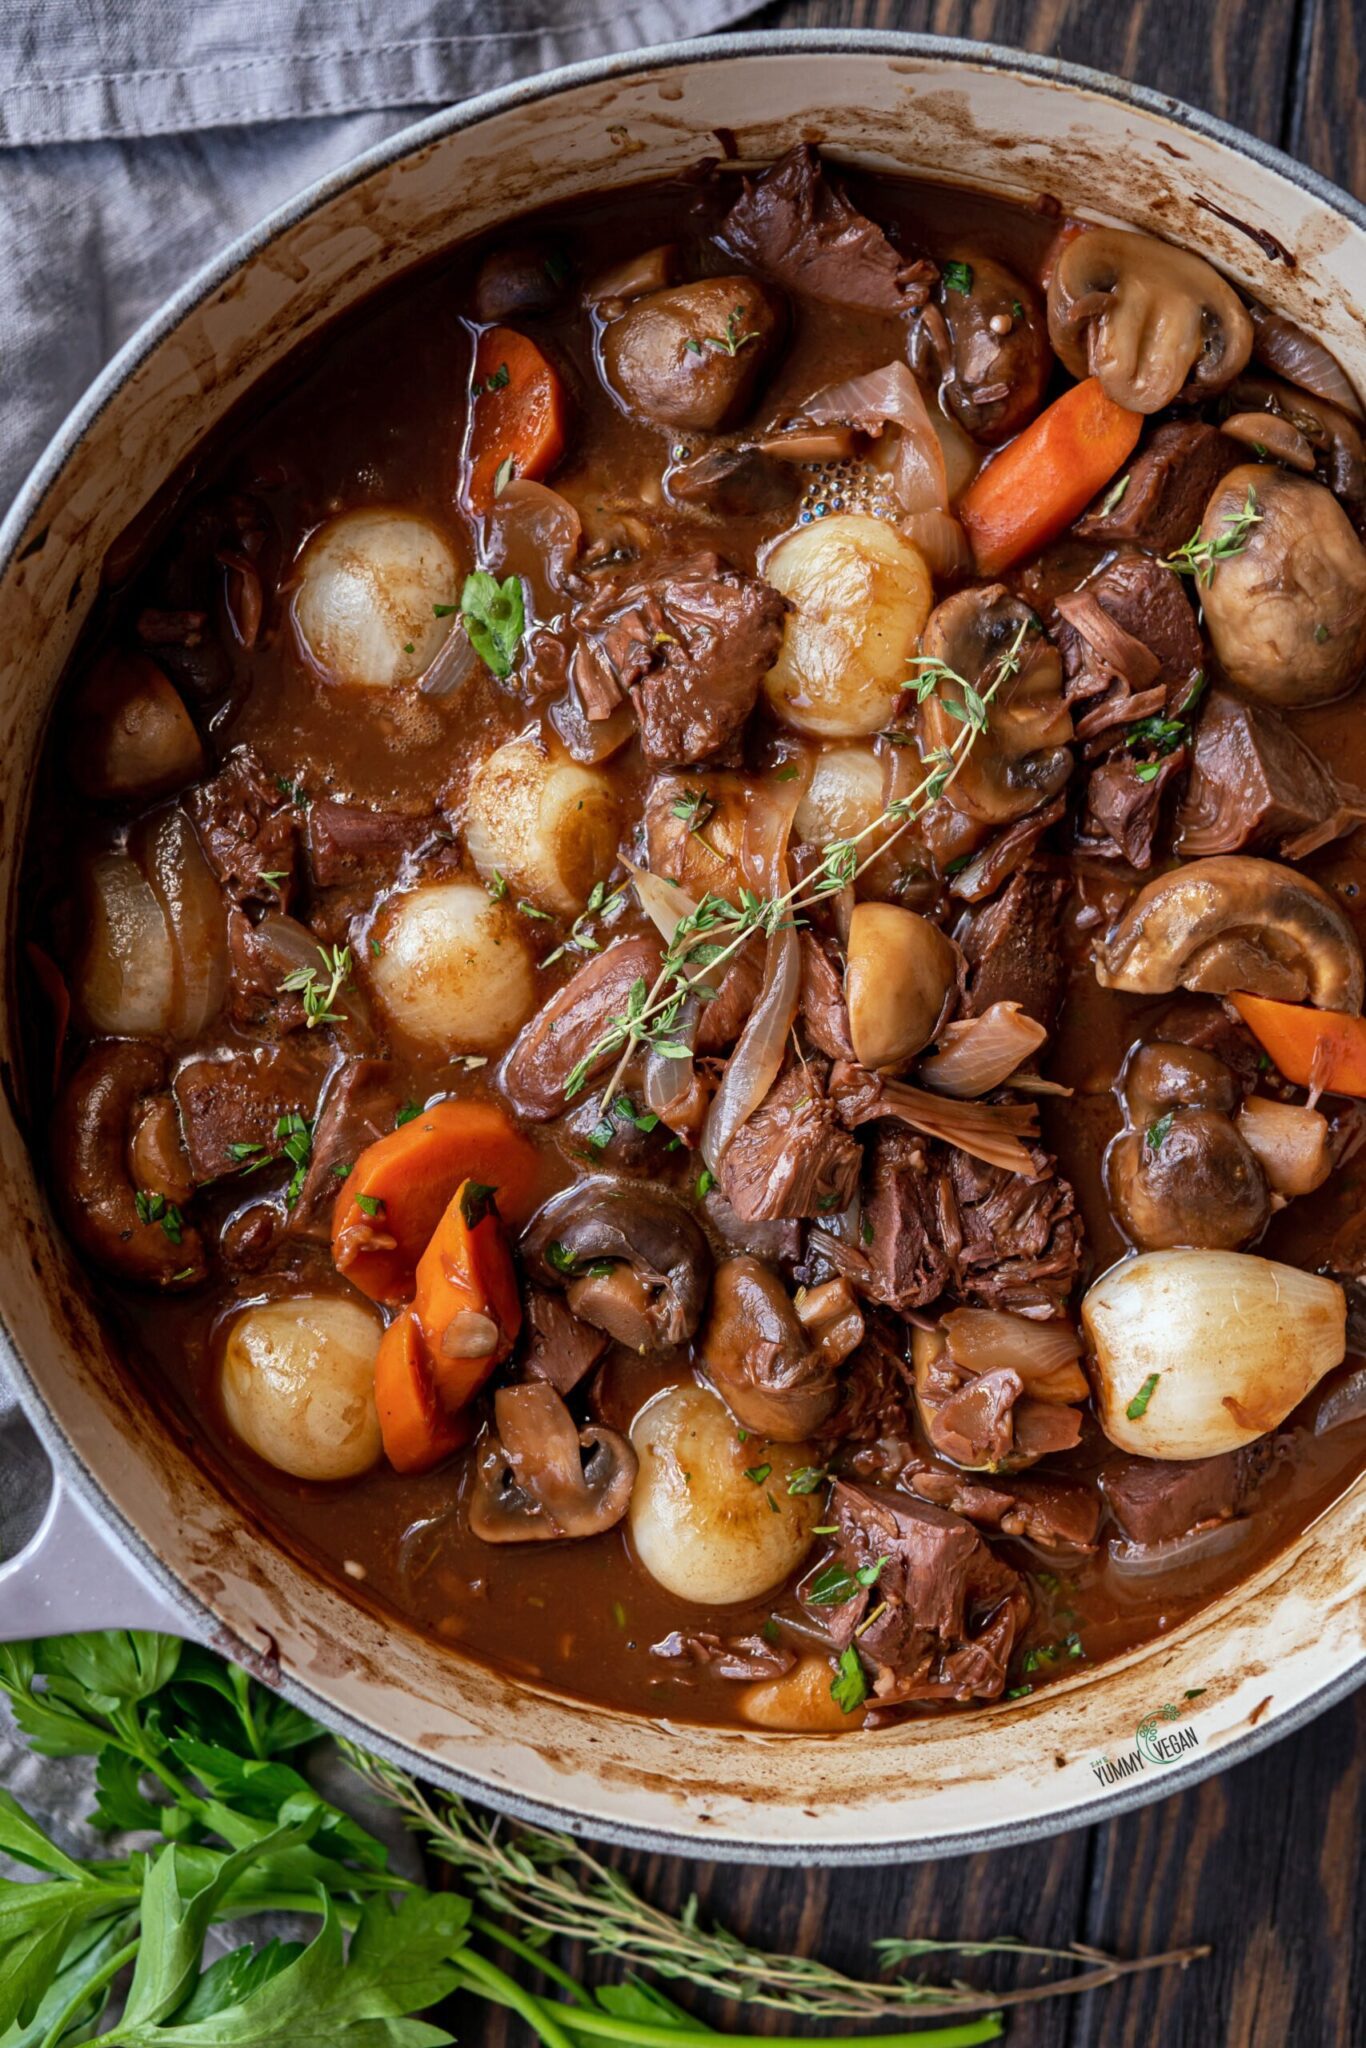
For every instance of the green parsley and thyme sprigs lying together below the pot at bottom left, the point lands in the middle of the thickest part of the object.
(202, 1768)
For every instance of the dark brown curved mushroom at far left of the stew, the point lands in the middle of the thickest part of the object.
(134, 1232)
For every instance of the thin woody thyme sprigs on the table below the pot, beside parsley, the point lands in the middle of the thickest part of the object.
(554, 1887)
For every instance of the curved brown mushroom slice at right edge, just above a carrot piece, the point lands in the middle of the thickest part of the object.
(1236, 925)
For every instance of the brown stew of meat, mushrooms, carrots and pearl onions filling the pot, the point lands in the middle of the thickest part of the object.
(697, 906)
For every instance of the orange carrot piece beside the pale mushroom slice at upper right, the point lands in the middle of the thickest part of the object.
(1048, 476)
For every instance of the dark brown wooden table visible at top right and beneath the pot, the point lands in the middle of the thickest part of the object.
(1263, 1863)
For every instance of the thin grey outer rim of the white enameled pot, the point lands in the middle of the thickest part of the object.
(67, 1461)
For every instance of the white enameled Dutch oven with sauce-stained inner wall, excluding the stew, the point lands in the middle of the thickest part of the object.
(136, 1533)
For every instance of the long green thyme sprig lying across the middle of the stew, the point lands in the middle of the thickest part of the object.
(712, 935)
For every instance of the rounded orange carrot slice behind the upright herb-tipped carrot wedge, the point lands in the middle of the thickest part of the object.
(400, 1187)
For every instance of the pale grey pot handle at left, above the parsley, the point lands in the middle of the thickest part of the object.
(75, 1576)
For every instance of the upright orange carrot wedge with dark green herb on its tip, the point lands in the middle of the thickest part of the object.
(466, 1281)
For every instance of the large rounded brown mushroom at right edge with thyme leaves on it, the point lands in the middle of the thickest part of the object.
(1287, 605)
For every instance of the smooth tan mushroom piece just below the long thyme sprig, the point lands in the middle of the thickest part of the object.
(900, 984)
